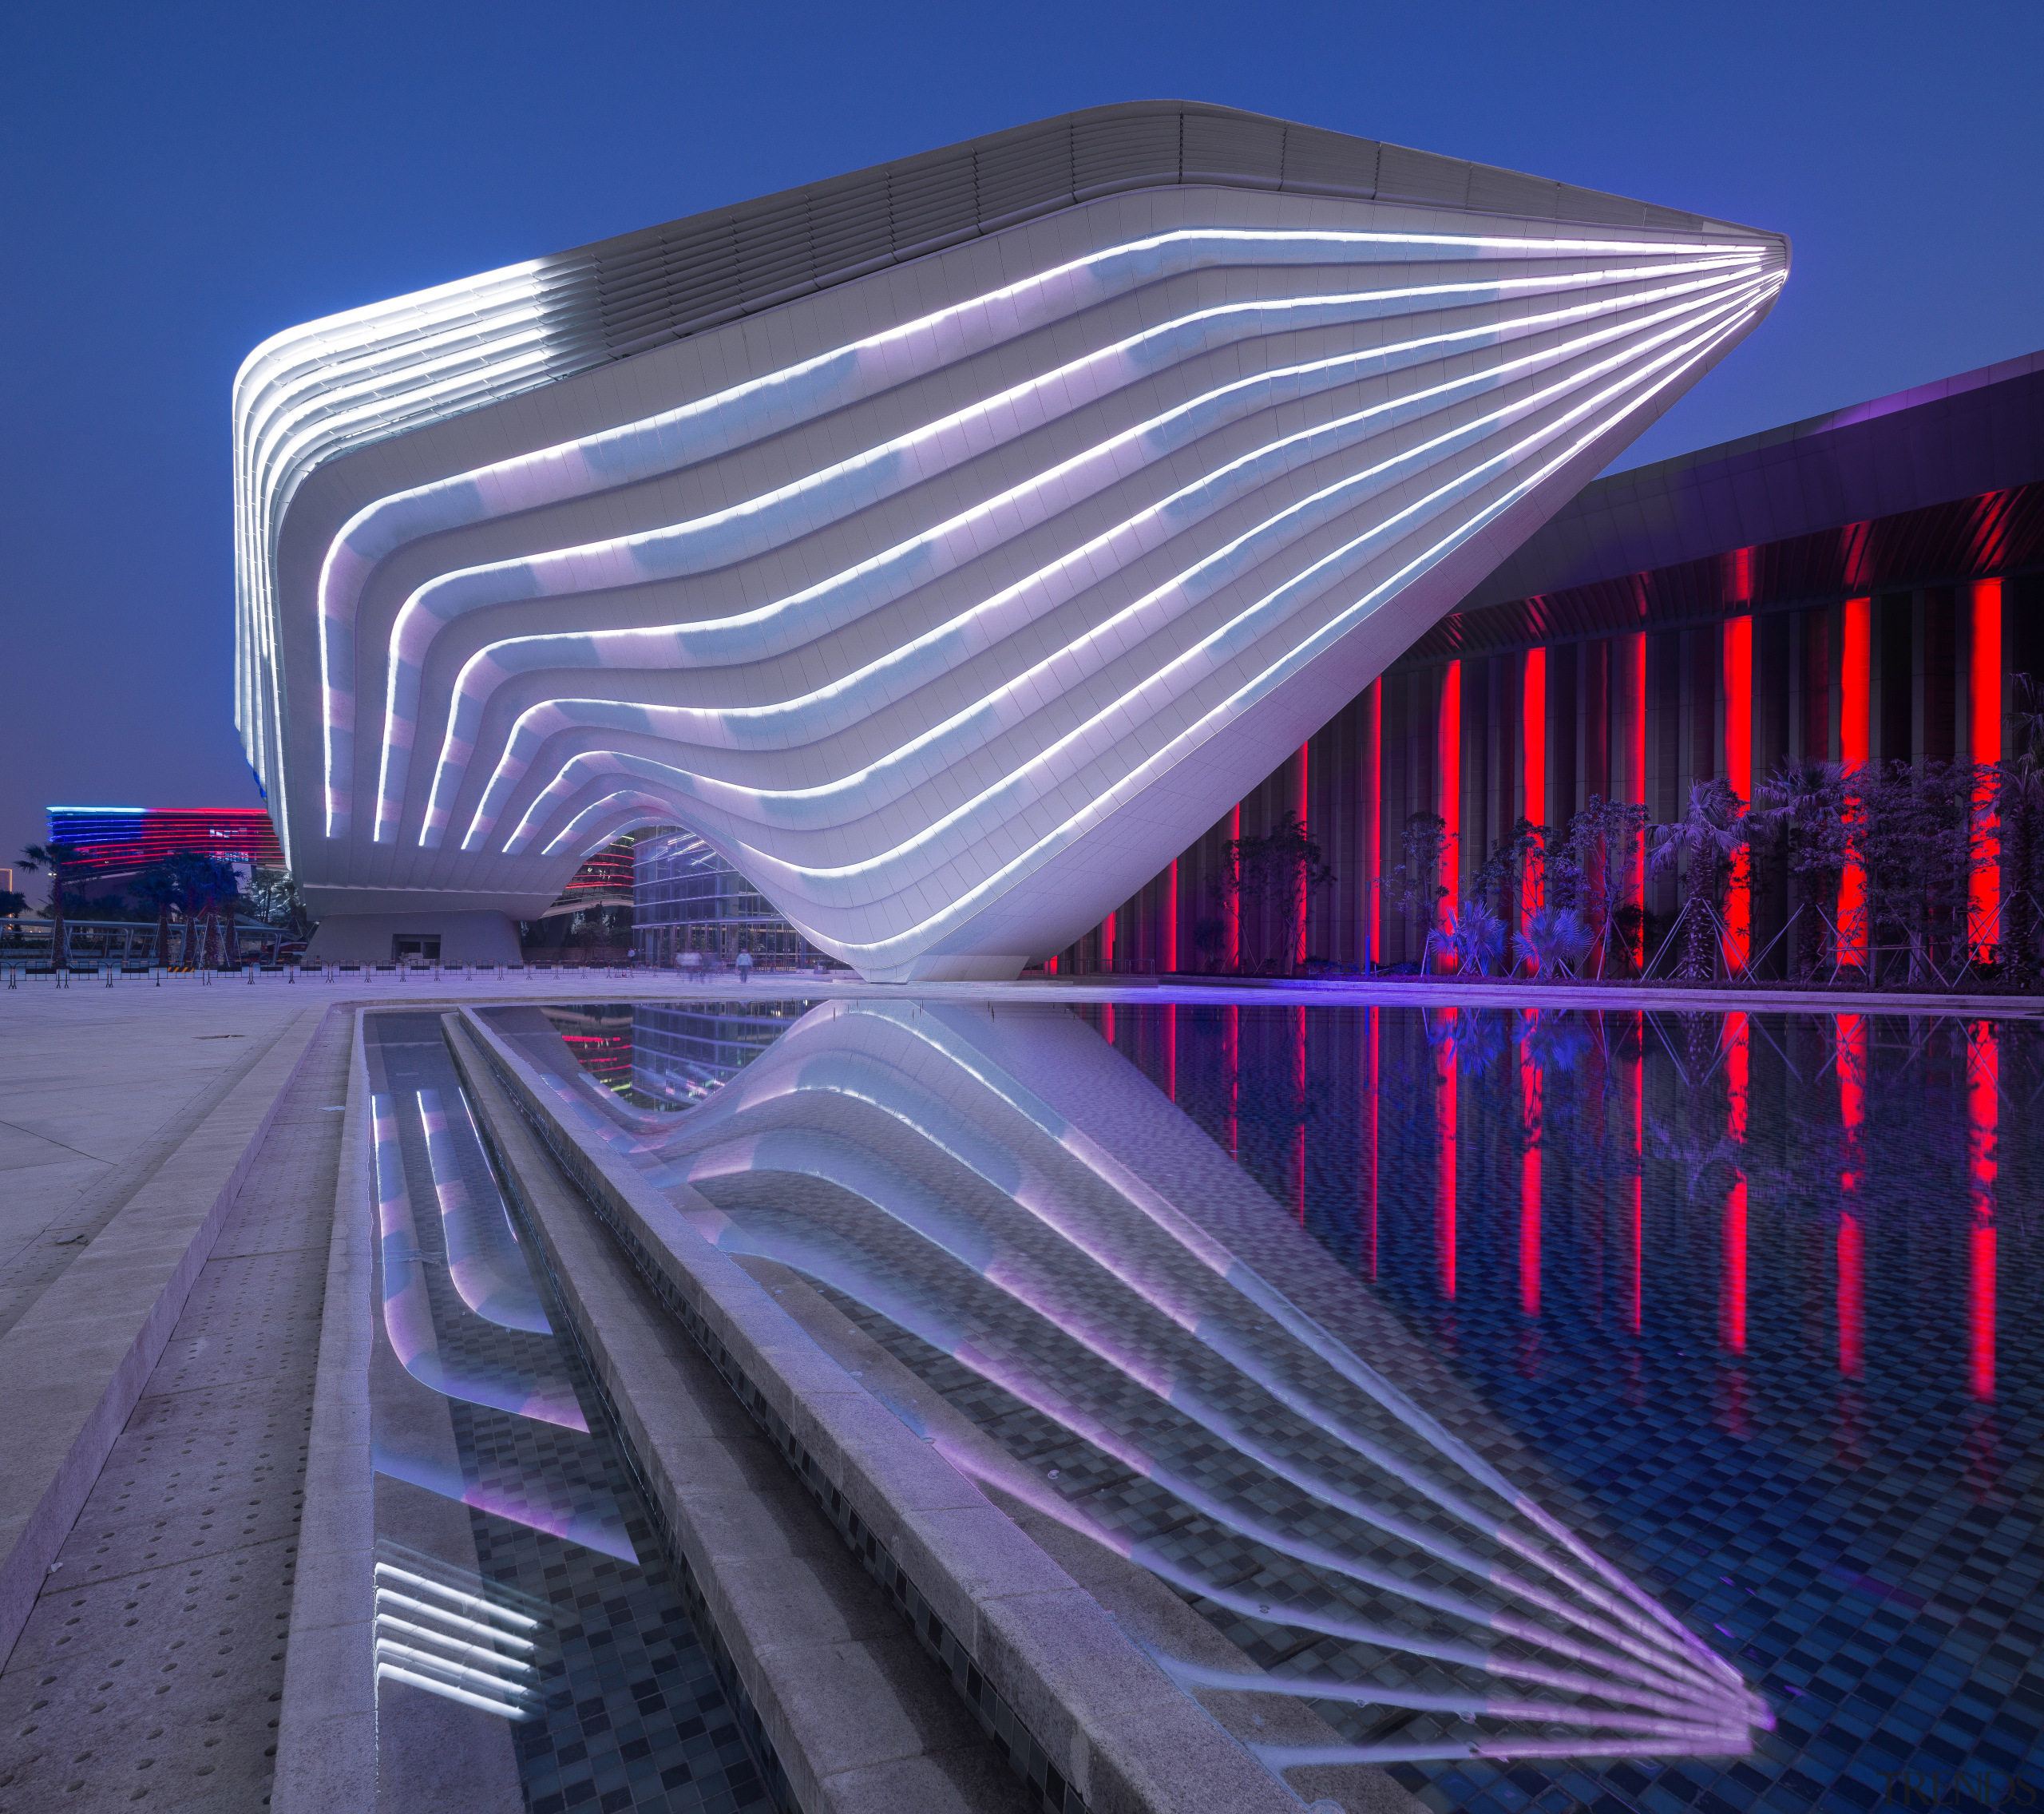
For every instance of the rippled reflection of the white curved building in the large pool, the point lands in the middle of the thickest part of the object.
(1133, 1341)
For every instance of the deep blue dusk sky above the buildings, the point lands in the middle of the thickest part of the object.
(185, 181)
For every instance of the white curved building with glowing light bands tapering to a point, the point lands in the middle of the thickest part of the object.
(947, 544)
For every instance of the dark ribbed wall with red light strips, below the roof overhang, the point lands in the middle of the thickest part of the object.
(1636, 716)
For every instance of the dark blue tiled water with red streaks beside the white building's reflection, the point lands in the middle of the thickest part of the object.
(1765, 1294)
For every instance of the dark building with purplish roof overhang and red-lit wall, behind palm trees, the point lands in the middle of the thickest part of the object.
(1863, 587)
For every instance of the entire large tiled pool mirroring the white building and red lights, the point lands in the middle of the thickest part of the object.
(1601, 1394)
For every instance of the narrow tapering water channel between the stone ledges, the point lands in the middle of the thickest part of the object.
(532, 1633)
